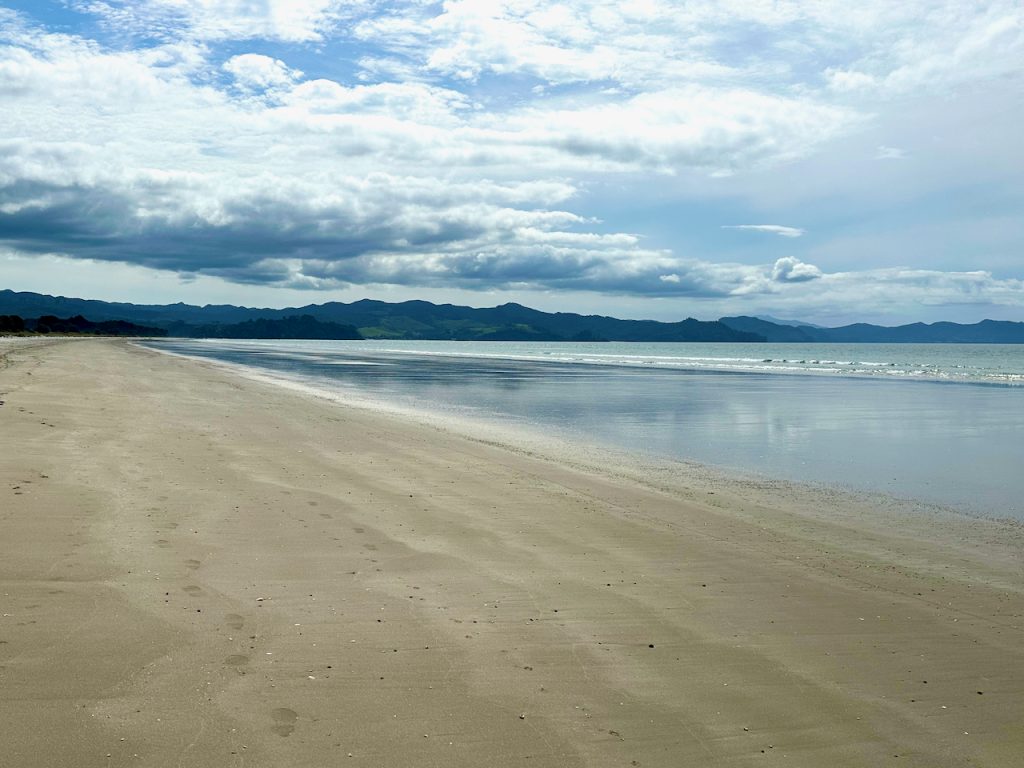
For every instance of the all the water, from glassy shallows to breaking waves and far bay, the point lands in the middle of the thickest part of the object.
(942, 424)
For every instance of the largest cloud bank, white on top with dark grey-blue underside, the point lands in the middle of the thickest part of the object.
(135, 157)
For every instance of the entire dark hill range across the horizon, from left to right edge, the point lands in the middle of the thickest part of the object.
(422, 320)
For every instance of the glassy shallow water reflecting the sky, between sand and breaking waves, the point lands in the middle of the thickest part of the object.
(955, 445)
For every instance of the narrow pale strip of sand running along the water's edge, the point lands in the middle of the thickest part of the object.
(957, 532)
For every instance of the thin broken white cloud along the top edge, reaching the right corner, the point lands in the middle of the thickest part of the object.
(877, 48)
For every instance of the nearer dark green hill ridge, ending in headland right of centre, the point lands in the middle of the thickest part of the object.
(409, 320)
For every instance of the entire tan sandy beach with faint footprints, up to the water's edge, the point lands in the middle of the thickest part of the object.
(197, 570)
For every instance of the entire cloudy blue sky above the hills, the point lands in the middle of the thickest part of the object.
(825, 161)
